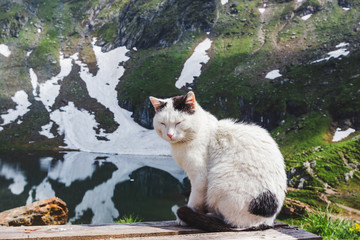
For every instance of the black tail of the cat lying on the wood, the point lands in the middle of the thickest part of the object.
(202, 221)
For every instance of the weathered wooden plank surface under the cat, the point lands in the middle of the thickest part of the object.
(147, 230)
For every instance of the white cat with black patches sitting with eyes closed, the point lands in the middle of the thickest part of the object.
(236, 170)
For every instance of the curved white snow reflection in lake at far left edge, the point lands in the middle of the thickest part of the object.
(10, 173)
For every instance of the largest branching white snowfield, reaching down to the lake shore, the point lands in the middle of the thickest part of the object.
(78, 125)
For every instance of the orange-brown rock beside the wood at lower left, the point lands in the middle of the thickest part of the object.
(52, 211)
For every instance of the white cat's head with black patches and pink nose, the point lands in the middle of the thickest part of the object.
(174, 116)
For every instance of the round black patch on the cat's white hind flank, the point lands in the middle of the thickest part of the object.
(265, 205)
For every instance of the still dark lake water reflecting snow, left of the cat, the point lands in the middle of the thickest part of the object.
(98, 188)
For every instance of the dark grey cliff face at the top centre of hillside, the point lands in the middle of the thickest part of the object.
(159, 24)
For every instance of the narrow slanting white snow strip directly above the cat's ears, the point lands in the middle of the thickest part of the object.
(192, 66)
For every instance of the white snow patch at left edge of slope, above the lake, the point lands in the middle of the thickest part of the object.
(22, 107)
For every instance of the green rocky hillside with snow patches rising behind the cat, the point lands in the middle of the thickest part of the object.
(288, 65)
